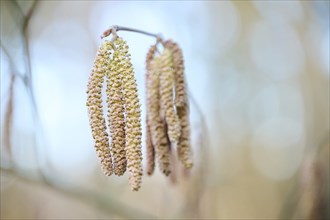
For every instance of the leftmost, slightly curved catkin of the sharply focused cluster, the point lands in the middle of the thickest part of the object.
(95, 108)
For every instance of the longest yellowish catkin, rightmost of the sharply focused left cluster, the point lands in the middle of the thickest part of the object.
(132, 113)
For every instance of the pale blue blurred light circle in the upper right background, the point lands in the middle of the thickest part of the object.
(276, 50)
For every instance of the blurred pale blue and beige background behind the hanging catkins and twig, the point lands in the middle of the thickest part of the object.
(258, 78)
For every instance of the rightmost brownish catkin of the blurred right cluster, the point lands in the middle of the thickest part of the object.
(182, 105)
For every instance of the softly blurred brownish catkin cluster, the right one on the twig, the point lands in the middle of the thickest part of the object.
(167, 109)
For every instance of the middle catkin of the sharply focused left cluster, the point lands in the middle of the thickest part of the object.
(116, 116)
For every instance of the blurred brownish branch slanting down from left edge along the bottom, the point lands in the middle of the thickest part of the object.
(100, 201)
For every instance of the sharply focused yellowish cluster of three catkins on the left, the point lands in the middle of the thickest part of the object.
(124, 150)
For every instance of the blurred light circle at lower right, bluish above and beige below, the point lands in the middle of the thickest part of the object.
(277, 147)
